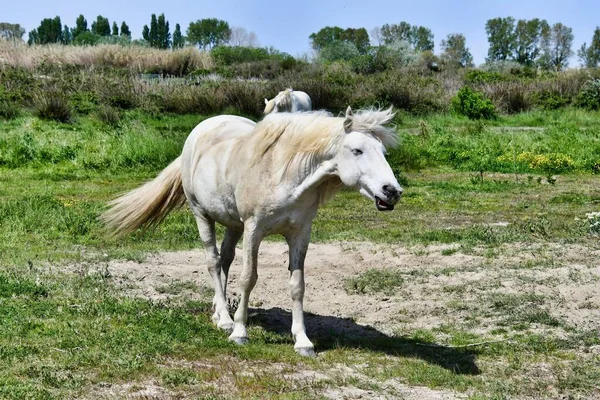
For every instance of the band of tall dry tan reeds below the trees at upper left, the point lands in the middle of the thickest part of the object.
(134, 58)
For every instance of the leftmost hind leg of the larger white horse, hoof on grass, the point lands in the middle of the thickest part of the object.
(206, 228)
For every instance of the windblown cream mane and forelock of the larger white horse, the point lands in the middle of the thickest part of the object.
(306, 137)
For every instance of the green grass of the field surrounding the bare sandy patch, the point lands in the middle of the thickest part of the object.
(64, 335)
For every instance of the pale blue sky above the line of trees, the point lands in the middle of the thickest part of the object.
(286, 25)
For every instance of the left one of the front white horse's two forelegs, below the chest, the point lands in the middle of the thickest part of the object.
(248, 277)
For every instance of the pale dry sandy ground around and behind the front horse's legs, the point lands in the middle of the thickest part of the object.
(440, 287)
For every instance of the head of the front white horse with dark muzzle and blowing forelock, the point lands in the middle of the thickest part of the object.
(361, 159)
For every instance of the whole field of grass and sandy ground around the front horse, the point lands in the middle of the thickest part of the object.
(483, 283)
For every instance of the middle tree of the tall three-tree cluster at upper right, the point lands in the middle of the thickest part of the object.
(529, 40)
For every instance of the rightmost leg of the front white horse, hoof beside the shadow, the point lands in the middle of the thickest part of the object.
(298, 244)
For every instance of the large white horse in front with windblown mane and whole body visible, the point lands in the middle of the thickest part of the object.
(263, 179)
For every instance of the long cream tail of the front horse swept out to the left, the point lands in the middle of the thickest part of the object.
(147, 205)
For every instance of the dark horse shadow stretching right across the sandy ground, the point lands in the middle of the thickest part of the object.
(328, 332)
